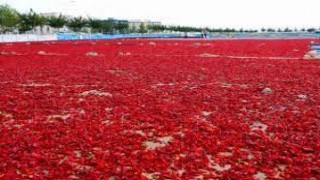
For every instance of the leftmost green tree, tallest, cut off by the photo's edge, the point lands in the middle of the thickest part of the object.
(9, 18)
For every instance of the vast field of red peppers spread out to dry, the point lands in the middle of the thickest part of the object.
(159, 109)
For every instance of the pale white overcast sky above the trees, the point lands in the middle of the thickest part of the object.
(203, 13)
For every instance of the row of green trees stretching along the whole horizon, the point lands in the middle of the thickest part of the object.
(12, 20)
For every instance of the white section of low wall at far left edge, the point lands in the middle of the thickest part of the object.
(27, 37)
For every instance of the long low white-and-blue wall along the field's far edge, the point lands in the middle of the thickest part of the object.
(80, 36)
